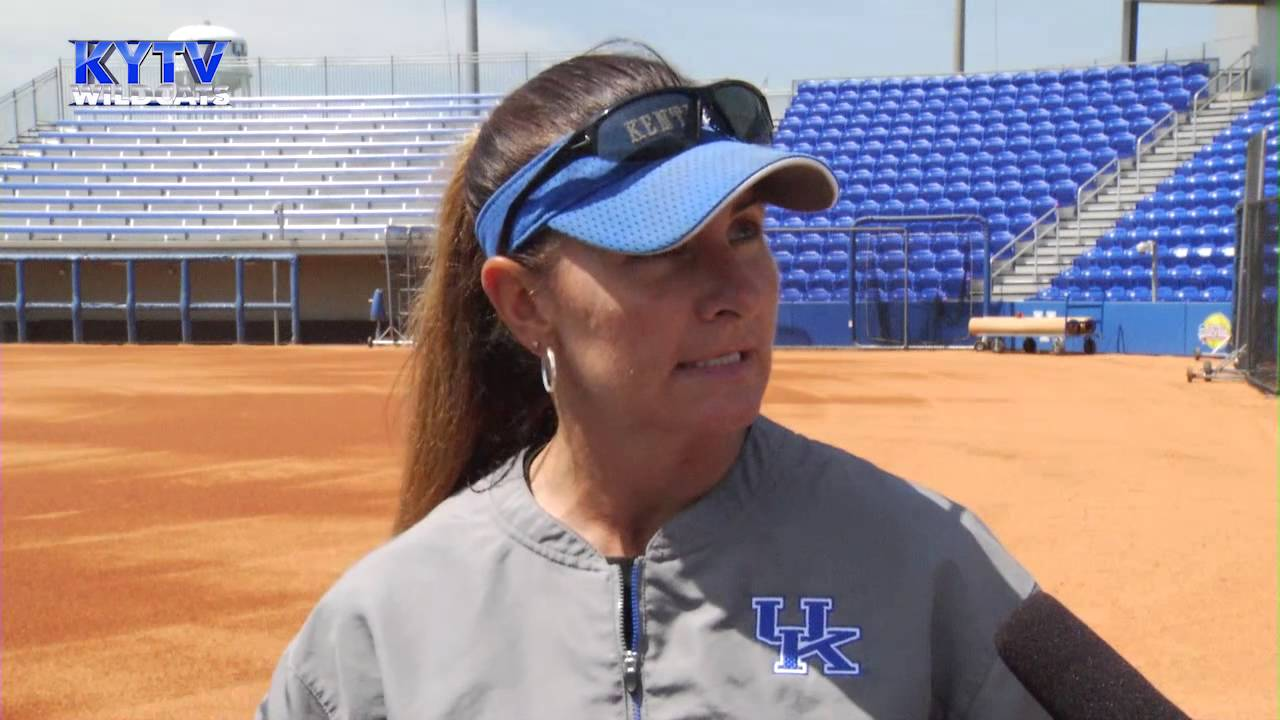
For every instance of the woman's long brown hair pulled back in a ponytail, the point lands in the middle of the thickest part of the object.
(477, 398)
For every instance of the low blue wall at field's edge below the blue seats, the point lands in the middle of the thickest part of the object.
(1142, 329)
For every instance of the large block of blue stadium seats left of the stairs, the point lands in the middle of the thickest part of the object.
(1011, 148)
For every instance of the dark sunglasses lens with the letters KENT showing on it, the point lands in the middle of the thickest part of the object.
(650, 127)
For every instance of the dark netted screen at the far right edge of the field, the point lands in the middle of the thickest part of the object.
(1256, 309)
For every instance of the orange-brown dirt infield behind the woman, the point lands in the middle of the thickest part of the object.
(171, 514)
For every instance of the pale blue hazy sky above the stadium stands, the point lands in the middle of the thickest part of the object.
(771, 44)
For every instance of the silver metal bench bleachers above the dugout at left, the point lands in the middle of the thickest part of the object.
(336, 171)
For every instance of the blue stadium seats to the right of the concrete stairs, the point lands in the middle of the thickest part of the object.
(1190, 224)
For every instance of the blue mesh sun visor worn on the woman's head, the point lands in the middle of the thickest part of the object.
(647, 208)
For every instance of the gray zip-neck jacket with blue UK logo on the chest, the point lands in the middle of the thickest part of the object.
(808, 584)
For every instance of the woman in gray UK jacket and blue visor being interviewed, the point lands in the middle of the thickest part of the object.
(595, 520)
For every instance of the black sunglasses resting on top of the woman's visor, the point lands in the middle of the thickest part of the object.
(655, 126)
